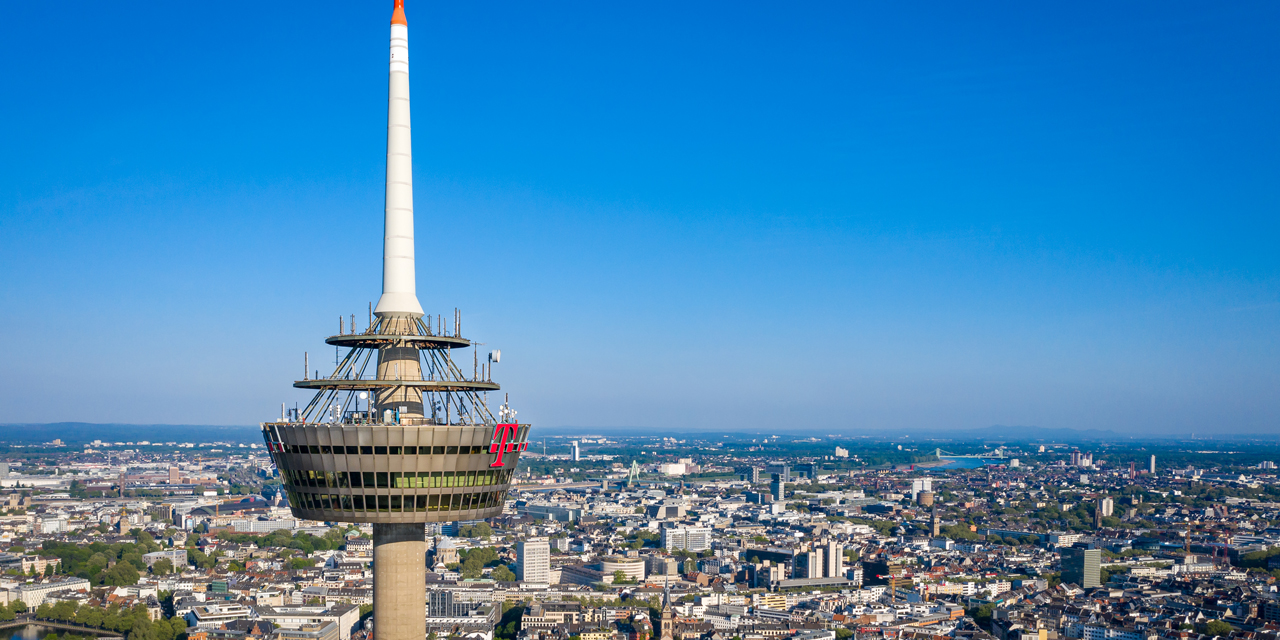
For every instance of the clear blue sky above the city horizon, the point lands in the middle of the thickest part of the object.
(842, 217)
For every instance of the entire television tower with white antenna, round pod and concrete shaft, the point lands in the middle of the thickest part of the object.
(415, 441)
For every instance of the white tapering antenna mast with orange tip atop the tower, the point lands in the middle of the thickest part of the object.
(400, 291)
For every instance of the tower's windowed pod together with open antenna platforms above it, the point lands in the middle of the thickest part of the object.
(423, 447)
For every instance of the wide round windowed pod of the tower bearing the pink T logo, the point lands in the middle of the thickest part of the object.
(395, 474)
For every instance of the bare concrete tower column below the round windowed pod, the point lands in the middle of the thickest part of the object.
(400, 582)
